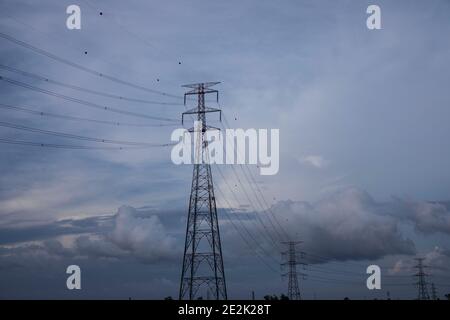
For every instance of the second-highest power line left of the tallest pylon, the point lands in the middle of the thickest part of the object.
(95, 92)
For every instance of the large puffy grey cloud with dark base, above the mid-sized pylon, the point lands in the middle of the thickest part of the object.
(344, 225)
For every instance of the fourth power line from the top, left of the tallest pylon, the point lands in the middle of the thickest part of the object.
(66, 117)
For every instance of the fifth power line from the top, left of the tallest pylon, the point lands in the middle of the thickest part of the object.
(72, 136)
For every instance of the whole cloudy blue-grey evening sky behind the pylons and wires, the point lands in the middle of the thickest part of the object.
(363, 119)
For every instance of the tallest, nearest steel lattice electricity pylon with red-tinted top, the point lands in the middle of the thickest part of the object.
(202, 271)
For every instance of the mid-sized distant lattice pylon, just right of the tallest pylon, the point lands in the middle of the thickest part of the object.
(292, 262)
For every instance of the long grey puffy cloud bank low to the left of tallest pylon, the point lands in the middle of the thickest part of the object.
(130, 235)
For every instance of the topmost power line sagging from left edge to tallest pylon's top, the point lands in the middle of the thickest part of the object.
(83, 68)
